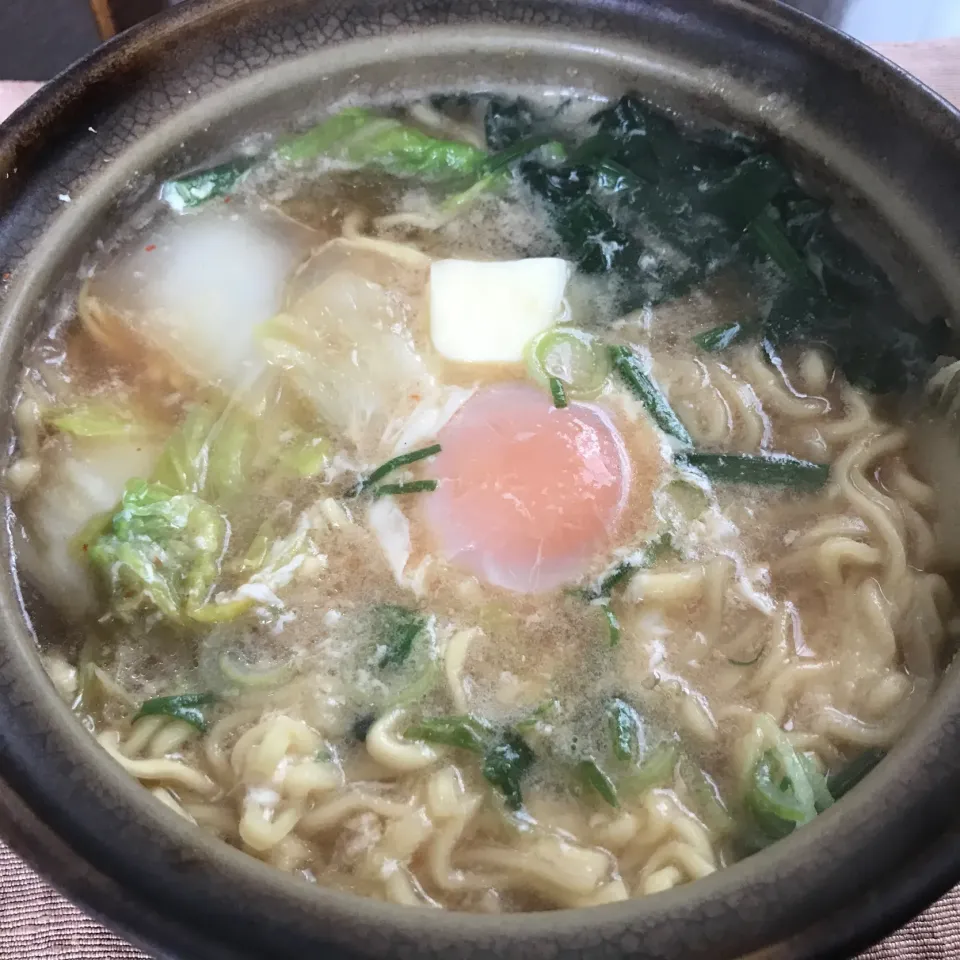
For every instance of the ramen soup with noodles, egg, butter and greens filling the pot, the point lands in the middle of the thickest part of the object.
(491, 503)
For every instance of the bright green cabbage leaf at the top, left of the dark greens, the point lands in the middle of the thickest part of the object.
(360, 136)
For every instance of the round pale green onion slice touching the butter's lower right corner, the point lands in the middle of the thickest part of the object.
(572, 357)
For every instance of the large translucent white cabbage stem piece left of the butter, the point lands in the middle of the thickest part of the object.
(188, 298)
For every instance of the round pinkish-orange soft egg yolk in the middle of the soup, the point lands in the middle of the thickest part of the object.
(527, 493)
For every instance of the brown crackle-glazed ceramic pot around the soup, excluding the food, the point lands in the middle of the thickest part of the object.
(174, 90)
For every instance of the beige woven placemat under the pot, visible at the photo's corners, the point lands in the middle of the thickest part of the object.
(36, 923)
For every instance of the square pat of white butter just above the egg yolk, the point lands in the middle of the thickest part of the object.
(486, 312)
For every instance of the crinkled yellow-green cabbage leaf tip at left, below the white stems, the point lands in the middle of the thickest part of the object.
(161, 552)
